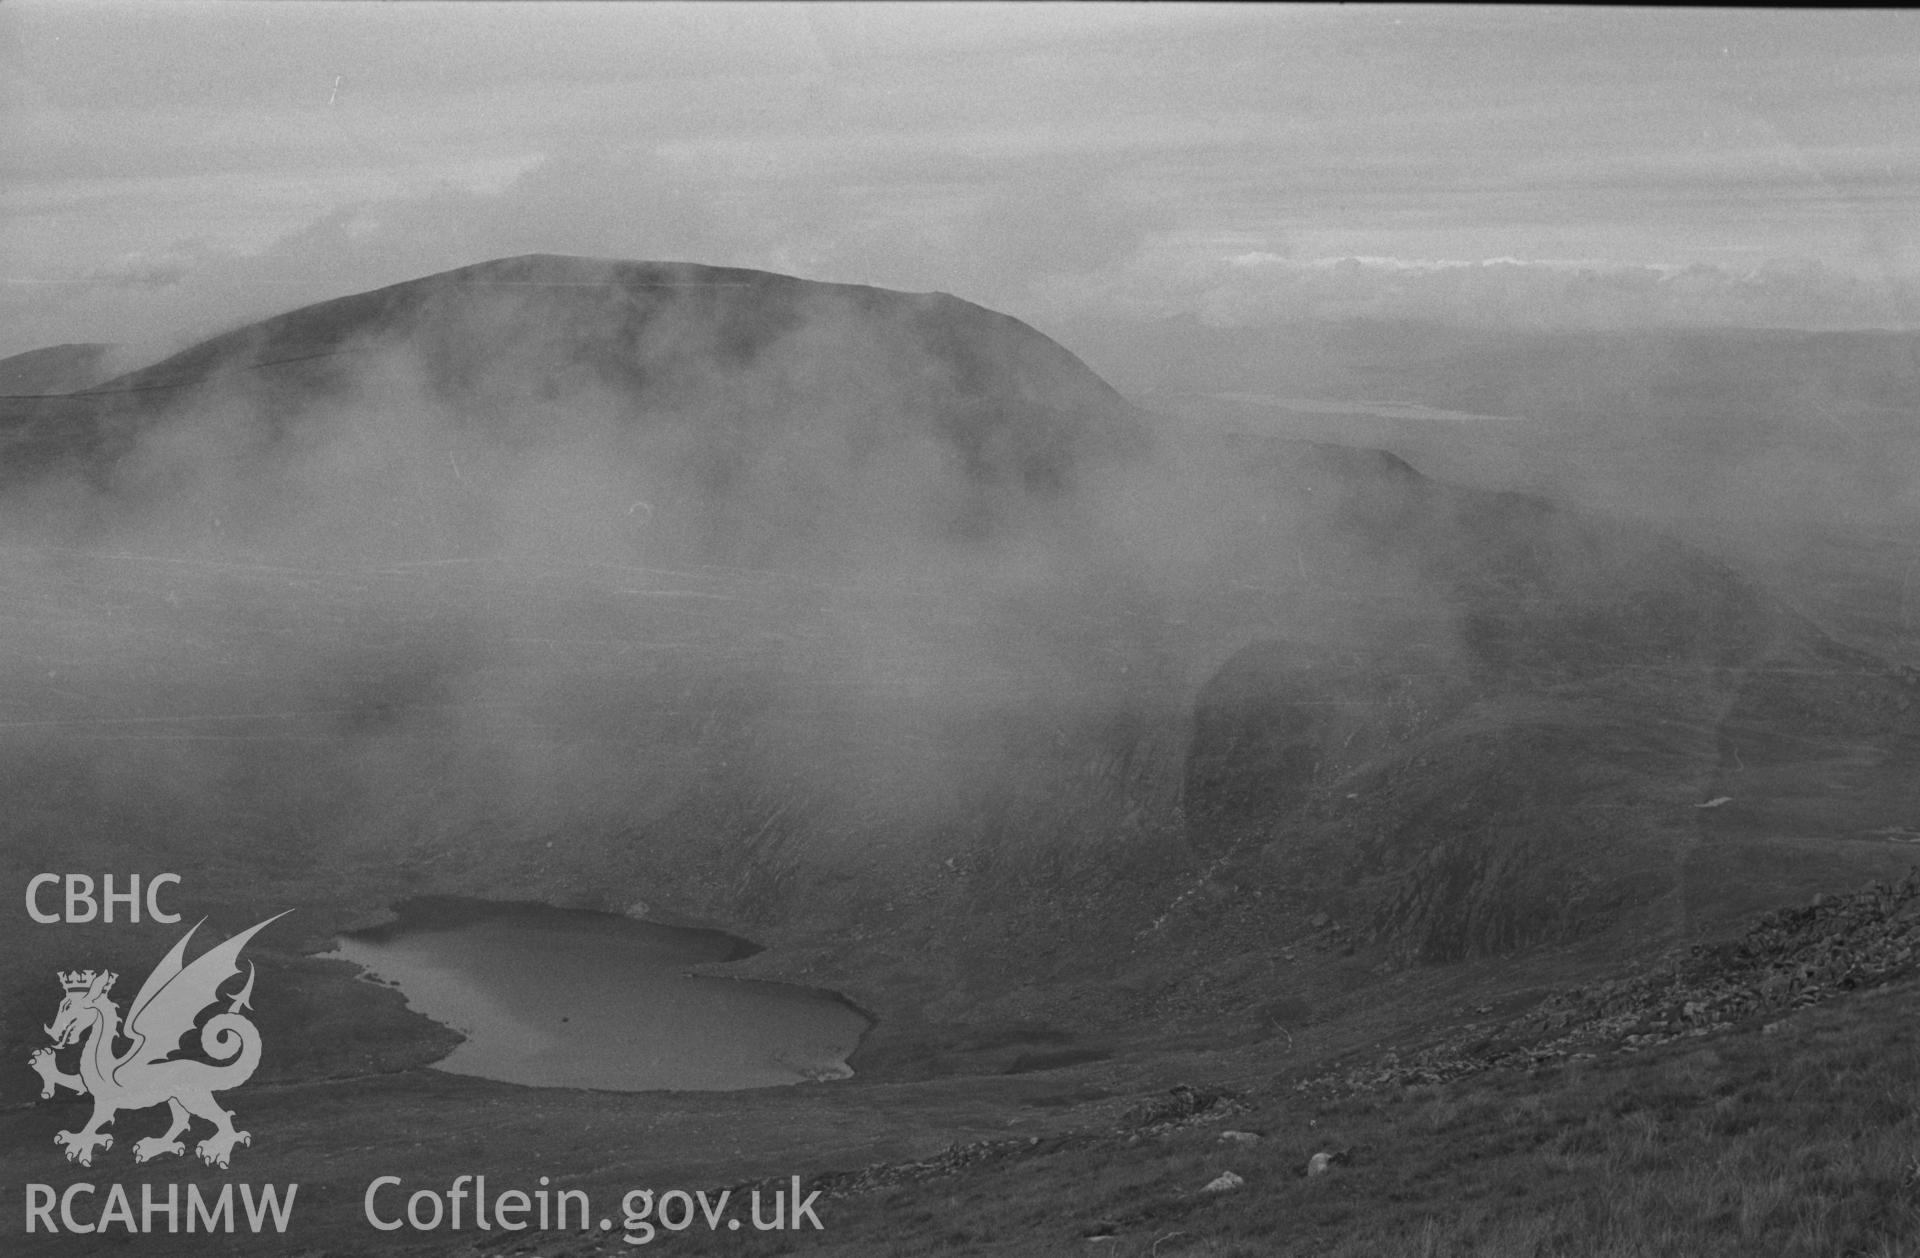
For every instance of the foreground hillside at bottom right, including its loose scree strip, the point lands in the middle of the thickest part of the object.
(1760, 1098)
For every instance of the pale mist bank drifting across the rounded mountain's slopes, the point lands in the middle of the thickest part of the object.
(527, 566)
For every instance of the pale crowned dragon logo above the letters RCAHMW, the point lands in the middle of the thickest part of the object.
(170, 1004)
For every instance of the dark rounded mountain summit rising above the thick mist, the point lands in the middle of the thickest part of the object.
(740, 408)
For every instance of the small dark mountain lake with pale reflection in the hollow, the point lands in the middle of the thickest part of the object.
(558, 998)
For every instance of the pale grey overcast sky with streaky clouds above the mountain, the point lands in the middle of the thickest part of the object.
(170, 168)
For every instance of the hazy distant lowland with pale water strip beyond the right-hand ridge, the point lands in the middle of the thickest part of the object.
(1790, 454)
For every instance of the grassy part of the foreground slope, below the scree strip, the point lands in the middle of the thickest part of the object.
(1790, 1144)
